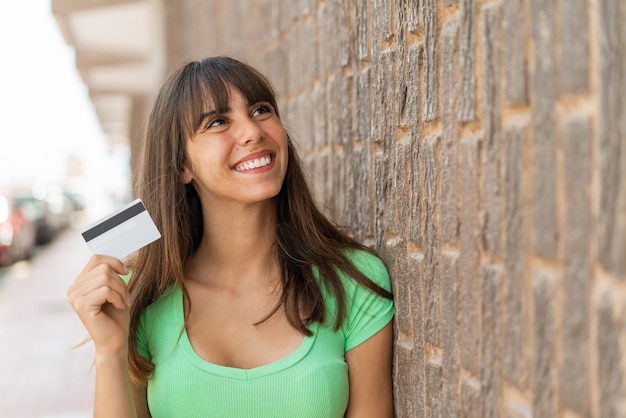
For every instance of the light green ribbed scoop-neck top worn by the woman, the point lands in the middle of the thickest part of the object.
(310, 382)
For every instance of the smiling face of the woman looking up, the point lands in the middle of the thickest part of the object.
(238, 154)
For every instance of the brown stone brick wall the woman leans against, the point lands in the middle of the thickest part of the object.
(480, 146)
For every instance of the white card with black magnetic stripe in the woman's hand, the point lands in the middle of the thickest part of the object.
(122, 232)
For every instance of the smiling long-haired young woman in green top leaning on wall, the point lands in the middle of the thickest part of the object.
(252, 304)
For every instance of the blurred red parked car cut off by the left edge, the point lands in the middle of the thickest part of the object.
(17, 232)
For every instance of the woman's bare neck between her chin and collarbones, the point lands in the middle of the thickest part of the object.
(236, 248)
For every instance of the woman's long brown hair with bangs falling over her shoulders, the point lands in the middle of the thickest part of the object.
(305, 238)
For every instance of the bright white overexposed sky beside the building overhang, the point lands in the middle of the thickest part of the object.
(45, 113)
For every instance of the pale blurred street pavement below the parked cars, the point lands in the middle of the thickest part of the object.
(42, 375)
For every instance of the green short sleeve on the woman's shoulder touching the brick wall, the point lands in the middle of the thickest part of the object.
(367, 312)
